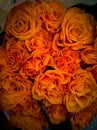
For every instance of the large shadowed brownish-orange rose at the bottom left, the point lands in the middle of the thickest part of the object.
(28, 116)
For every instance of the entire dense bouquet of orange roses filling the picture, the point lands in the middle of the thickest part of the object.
(48, 64)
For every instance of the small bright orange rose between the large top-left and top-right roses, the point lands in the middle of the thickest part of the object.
(40, 40)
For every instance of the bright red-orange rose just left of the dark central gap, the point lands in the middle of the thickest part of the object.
(36, 64)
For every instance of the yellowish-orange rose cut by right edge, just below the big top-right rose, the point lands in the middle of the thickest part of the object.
(89, 55)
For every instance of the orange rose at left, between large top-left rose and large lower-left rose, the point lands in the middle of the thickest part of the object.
(15, 55)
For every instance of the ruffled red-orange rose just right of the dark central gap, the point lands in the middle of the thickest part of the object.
(68, 61)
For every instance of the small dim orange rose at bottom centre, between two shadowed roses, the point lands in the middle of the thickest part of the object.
(57, 113)
